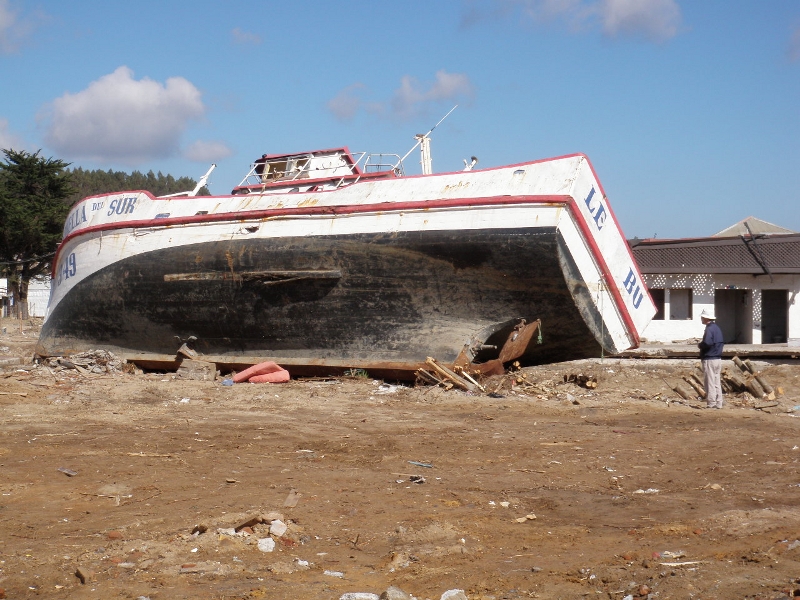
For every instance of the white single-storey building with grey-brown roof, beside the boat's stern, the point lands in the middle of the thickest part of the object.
(749, 274)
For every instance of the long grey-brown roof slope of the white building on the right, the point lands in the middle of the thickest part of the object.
(756, 255)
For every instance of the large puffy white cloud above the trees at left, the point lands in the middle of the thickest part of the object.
(120, 119)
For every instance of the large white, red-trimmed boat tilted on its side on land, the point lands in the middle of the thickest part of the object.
(328, 260)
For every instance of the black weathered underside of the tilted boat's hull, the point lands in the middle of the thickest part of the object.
(360, 300)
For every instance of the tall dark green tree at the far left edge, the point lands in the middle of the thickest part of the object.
(33, 208)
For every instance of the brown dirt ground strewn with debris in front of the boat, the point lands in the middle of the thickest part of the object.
(550, 491)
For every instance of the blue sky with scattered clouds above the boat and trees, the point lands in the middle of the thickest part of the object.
(687, 110)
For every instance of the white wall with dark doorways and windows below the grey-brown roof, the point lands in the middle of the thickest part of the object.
(678, 327)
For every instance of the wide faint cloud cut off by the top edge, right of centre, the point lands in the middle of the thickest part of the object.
(654, 20)
